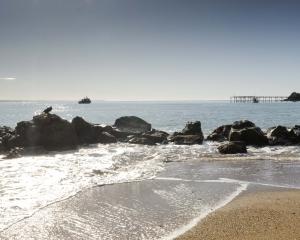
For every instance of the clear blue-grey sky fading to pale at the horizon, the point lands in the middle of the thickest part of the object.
(148, 49)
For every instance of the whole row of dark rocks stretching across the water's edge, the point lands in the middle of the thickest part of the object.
(46, 132)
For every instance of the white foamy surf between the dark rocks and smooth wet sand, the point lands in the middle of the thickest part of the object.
(30, 183)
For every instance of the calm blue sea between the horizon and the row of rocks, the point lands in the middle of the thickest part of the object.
(169, 116)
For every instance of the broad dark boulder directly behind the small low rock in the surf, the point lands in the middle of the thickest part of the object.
(249, 135)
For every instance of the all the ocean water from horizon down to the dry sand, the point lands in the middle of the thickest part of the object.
(31, 185)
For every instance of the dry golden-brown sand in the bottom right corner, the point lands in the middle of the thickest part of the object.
(268, 215)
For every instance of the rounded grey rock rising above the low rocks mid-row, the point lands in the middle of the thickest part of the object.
(132, 124)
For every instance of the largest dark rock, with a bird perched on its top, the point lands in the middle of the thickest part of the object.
(48, 131)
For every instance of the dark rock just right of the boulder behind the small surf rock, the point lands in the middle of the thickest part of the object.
(279, 135)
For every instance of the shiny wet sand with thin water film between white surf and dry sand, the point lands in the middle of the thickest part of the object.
(158, 208)
